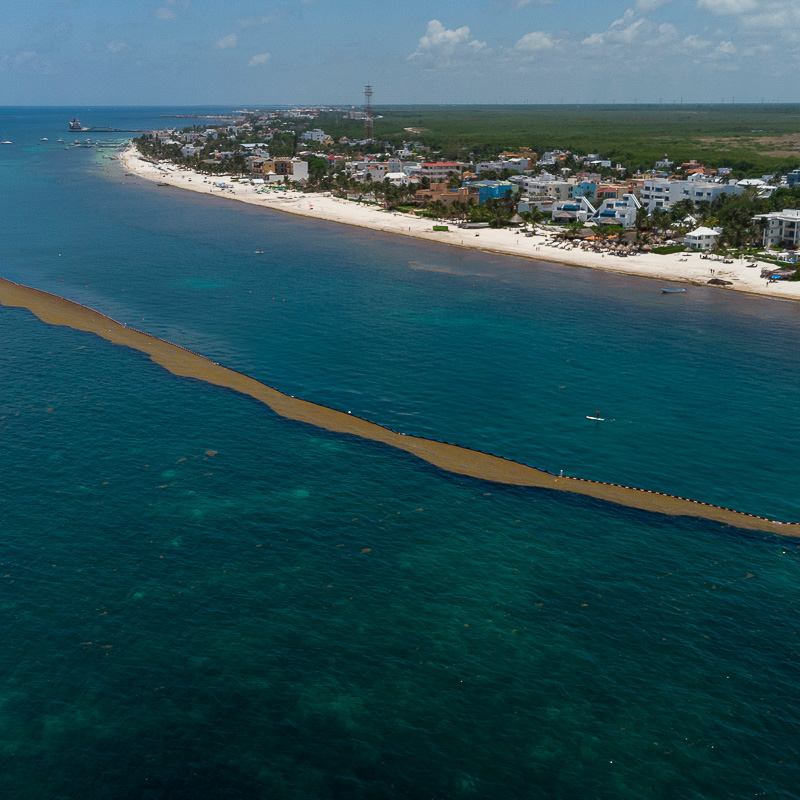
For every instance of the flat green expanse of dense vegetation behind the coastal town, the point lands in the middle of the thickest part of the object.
(753, 140)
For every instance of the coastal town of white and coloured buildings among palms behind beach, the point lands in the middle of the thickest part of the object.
(566, 200)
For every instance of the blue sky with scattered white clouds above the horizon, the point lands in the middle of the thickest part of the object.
(265, 52)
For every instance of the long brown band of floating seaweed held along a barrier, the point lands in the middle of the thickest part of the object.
(55, 310)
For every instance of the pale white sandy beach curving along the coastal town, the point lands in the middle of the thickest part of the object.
(678, 267)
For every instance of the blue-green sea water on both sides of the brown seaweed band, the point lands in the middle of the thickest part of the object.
(203, 600)
